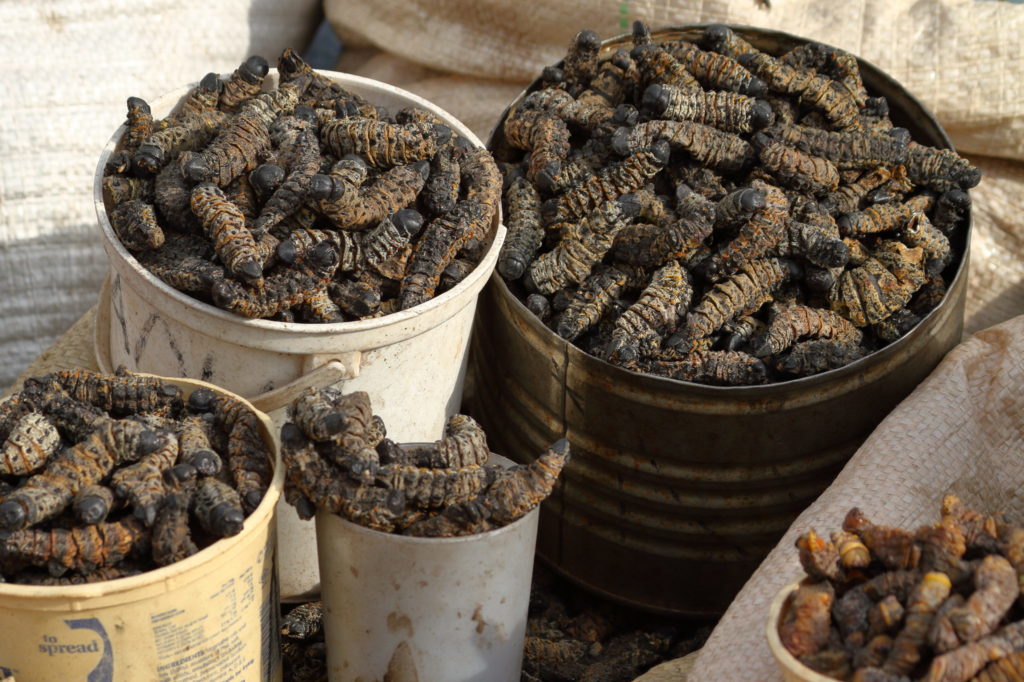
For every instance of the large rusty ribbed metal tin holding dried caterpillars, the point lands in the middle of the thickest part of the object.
(677, 491)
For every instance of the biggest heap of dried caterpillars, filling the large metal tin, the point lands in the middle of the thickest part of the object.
(710, 212)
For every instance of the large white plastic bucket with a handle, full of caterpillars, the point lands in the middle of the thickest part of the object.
(412, 363)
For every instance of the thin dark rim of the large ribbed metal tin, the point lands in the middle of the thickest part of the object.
(778, 390)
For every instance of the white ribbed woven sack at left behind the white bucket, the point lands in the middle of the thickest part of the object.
(68, 69)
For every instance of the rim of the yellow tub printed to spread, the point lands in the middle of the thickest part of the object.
(168, 575)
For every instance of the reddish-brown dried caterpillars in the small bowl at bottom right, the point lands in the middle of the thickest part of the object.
(941, 604)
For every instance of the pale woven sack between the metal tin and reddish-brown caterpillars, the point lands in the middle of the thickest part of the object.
(961, 432)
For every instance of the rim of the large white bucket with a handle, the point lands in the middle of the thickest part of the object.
(475, 281)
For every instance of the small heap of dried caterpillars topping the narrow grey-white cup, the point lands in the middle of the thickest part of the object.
(339, 460)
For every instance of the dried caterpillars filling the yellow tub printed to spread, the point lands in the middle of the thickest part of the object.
(104, 477)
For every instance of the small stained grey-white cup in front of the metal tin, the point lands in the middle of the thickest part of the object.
(417, 610)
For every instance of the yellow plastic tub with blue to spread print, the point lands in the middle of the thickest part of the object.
(212, 617)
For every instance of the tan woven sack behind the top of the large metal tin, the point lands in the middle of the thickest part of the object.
(964, 59)
